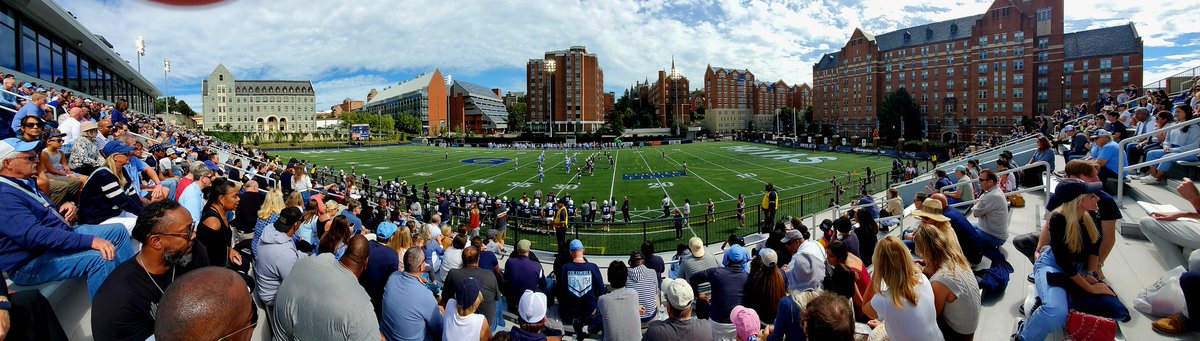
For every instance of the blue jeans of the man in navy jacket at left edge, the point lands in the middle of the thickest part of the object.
(56, 266)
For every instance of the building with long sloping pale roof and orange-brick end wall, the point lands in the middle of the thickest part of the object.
(424, 97)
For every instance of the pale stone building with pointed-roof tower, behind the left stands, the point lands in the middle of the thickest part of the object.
(257, 106)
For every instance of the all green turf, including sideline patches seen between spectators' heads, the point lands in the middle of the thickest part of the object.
(716, 171)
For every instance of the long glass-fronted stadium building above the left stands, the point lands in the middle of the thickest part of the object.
(41, 43)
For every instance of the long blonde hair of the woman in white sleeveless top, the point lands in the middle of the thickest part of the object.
(895, 268)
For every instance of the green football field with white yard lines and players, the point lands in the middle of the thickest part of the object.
(717, 171)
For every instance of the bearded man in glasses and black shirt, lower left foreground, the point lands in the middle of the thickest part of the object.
(128, 303)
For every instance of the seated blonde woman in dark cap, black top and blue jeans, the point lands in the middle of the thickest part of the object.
(1067, 273)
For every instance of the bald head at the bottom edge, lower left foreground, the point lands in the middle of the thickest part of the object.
(205, 304)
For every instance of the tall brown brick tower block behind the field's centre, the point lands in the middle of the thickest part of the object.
(566, 92)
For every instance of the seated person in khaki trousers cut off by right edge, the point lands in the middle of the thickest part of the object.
(1175, 235)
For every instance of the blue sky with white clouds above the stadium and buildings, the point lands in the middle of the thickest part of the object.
(347, 49)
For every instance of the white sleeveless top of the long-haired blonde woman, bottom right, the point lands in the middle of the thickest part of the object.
(909, 322)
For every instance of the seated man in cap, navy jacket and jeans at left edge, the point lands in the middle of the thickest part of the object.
(39, 246)
